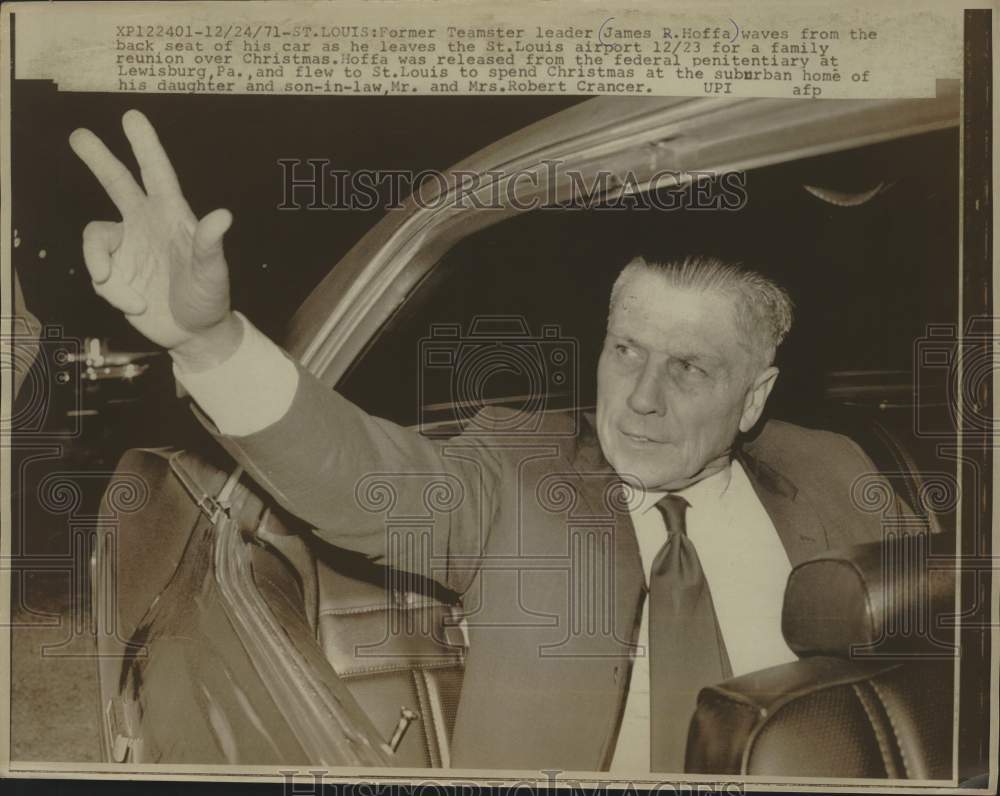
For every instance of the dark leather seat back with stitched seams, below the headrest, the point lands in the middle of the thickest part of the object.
(828, 717)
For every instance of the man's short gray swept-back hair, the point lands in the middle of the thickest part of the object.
(763, 308)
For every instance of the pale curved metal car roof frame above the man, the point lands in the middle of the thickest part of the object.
(638, 135)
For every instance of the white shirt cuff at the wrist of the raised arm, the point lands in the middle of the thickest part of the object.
(248, 392)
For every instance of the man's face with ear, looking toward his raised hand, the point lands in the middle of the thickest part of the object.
(675, 383)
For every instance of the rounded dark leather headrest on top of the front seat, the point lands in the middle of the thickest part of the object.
(882, 598)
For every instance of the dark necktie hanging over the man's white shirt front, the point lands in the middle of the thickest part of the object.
(686, 648)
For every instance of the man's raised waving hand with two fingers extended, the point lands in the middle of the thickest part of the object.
(159, 265)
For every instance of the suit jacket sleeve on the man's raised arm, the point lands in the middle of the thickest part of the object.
(373, 487)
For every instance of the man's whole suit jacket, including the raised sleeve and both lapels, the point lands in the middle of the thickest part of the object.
(531, 529)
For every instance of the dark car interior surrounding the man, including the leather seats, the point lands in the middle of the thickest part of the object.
(860, 239)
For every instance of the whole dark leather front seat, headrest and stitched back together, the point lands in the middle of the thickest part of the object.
(873, 693)
